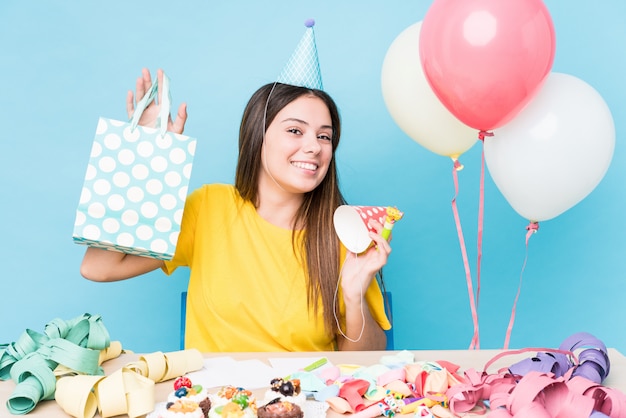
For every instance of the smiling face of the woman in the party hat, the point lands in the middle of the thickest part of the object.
(298, 146)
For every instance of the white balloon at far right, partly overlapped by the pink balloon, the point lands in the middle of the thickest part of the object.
(555, 151)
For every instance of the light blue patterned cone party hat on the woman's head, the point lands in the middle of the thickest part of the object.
(303, 68)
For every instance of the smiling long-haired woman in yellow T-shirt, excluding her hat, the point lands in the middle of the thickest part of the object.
(268, 272)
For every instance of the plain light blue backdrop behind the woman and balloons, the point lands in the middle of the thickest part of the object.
(68, 62)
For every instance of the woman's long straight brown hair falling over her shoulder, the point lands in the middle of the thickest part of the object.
(320, 245)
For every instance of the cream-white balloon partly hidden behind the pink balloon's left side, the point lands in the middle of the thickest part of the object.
(414, 106)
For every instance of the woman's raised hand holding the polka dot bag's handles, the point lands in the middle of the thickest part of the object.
(149, 116)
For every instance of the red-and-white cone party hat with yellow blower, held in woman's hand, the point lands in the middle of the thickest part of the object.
(351, 224)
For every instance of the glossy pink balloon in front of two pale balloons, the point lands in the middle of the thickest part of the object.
(486, 59)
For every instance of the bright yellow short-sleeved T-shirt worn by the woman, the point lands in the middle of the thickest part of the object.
(247, 290)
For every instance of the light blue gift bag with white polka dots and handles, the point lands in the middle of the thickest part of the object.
(136, 184)
